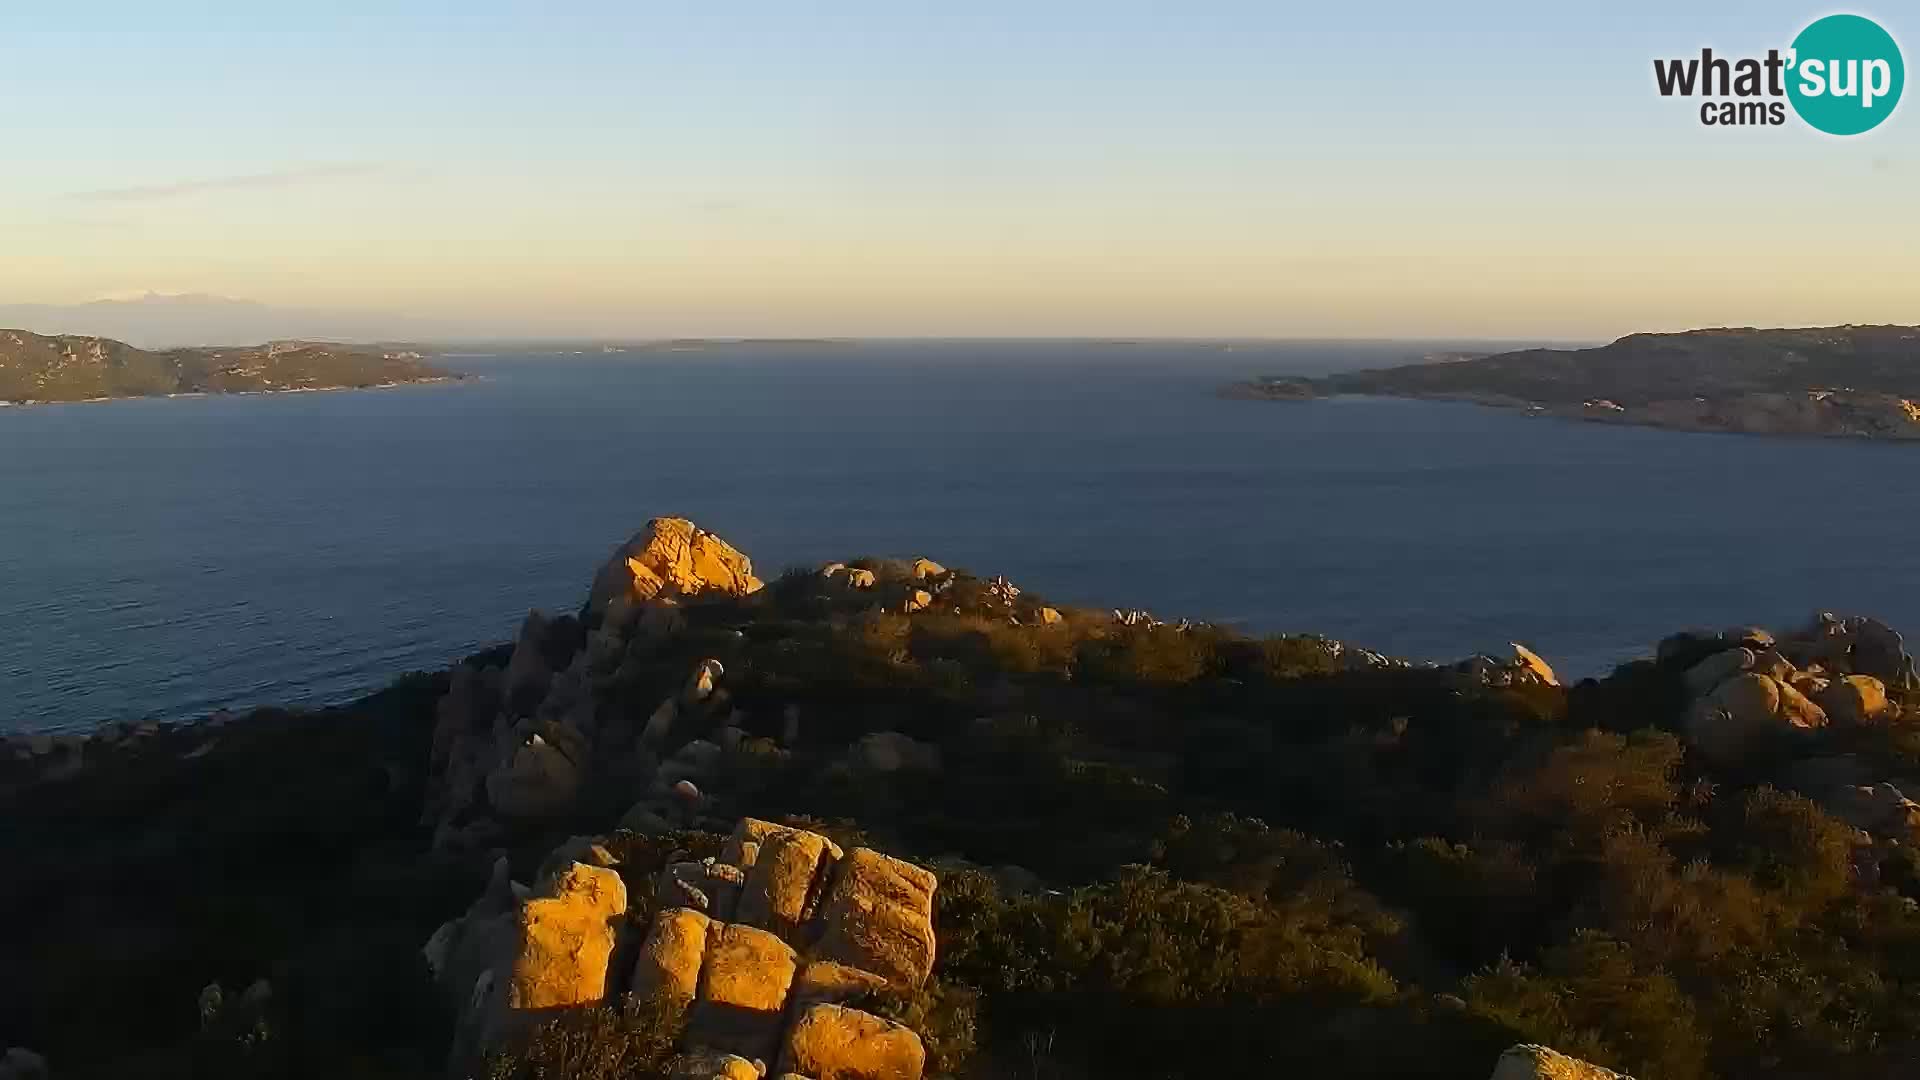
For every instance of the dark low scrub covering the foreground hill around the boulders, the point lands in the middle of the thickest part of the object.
(1163, 852)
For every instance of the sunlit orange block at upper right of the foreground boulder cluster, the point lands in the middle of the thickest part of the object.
(880, 918)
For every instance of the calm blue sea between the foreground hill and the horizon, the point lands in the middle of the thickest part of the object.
(164, 558)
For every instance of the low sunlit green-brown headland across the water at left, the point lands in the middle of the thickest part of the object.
(70, 368)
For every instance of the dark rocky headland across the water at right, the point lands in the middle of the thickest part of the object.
(1829, 381)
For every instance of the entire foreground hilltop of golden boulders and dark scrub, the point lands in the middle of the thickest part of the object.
(886, 820)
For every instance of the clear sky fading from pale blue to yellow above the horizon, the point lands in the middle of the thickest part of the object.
(1370, 170)
